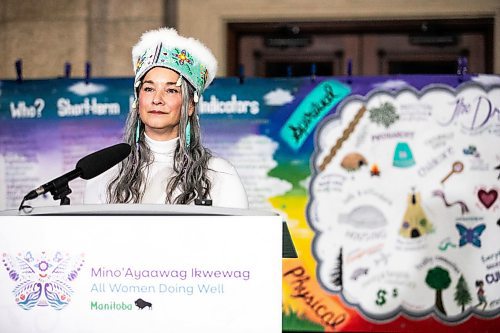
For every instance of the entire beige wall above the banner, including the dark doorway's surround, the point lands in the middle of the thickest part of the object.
(46, 34)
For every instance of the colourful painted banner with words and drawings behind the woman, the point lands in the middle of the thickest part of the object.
(389, 185)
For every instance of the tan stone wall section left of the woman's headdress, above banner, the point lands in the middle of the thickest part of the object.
(47, 33)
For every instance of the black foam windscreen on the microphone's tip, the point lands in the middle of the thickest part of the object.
(96, 163)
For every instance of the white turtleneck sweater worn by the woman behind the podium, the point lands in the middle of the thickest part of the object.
(227, 189)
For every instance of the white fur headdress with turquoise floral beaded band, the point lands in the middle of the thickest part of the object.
(166, 48)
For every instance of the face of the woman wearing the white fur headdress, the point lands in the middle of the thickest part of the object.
(160, 103)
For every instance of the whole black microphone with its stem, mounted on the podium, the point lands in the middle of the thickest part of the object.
(88, 167)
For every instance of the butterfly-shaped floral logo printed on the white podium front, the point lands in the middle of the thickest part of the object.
(42, 280)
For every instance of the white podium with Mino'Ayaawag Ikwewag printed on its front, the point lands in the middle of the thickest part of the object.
(130, 268)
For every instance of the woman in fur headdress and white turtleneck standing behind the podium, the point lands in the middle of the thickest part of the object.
(168, 163)
